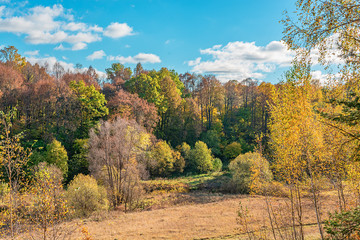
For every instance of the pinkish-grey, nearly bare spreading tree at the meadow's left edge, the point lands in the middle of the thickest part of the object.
(115, 149)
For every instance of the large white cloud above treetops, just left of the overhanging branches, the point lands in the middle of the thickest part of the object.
(240, 60)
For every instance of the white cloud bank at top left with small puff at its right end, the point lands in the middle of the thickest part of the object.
(54, 25)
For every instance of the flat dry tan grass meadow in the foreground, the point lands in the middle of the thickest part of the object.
(195, 216)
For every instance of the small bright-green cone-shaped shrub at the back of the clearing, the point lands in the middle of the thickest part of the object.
(200, 158)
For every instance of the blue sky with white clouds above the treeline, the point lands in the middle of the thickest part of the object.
(233, 39)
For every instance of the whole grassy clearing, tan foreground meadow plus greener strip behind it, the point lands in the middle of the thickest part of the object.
(187, 208)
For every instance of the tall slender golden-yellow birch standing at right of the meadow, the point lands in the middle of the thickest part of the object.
(296, 139)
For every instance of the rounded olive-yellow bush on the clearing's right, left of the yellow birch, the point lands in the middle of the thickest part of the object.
(249, 173)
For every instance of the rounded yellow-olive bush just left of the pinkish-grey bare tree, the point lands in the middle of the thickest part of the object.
(86, 196)
